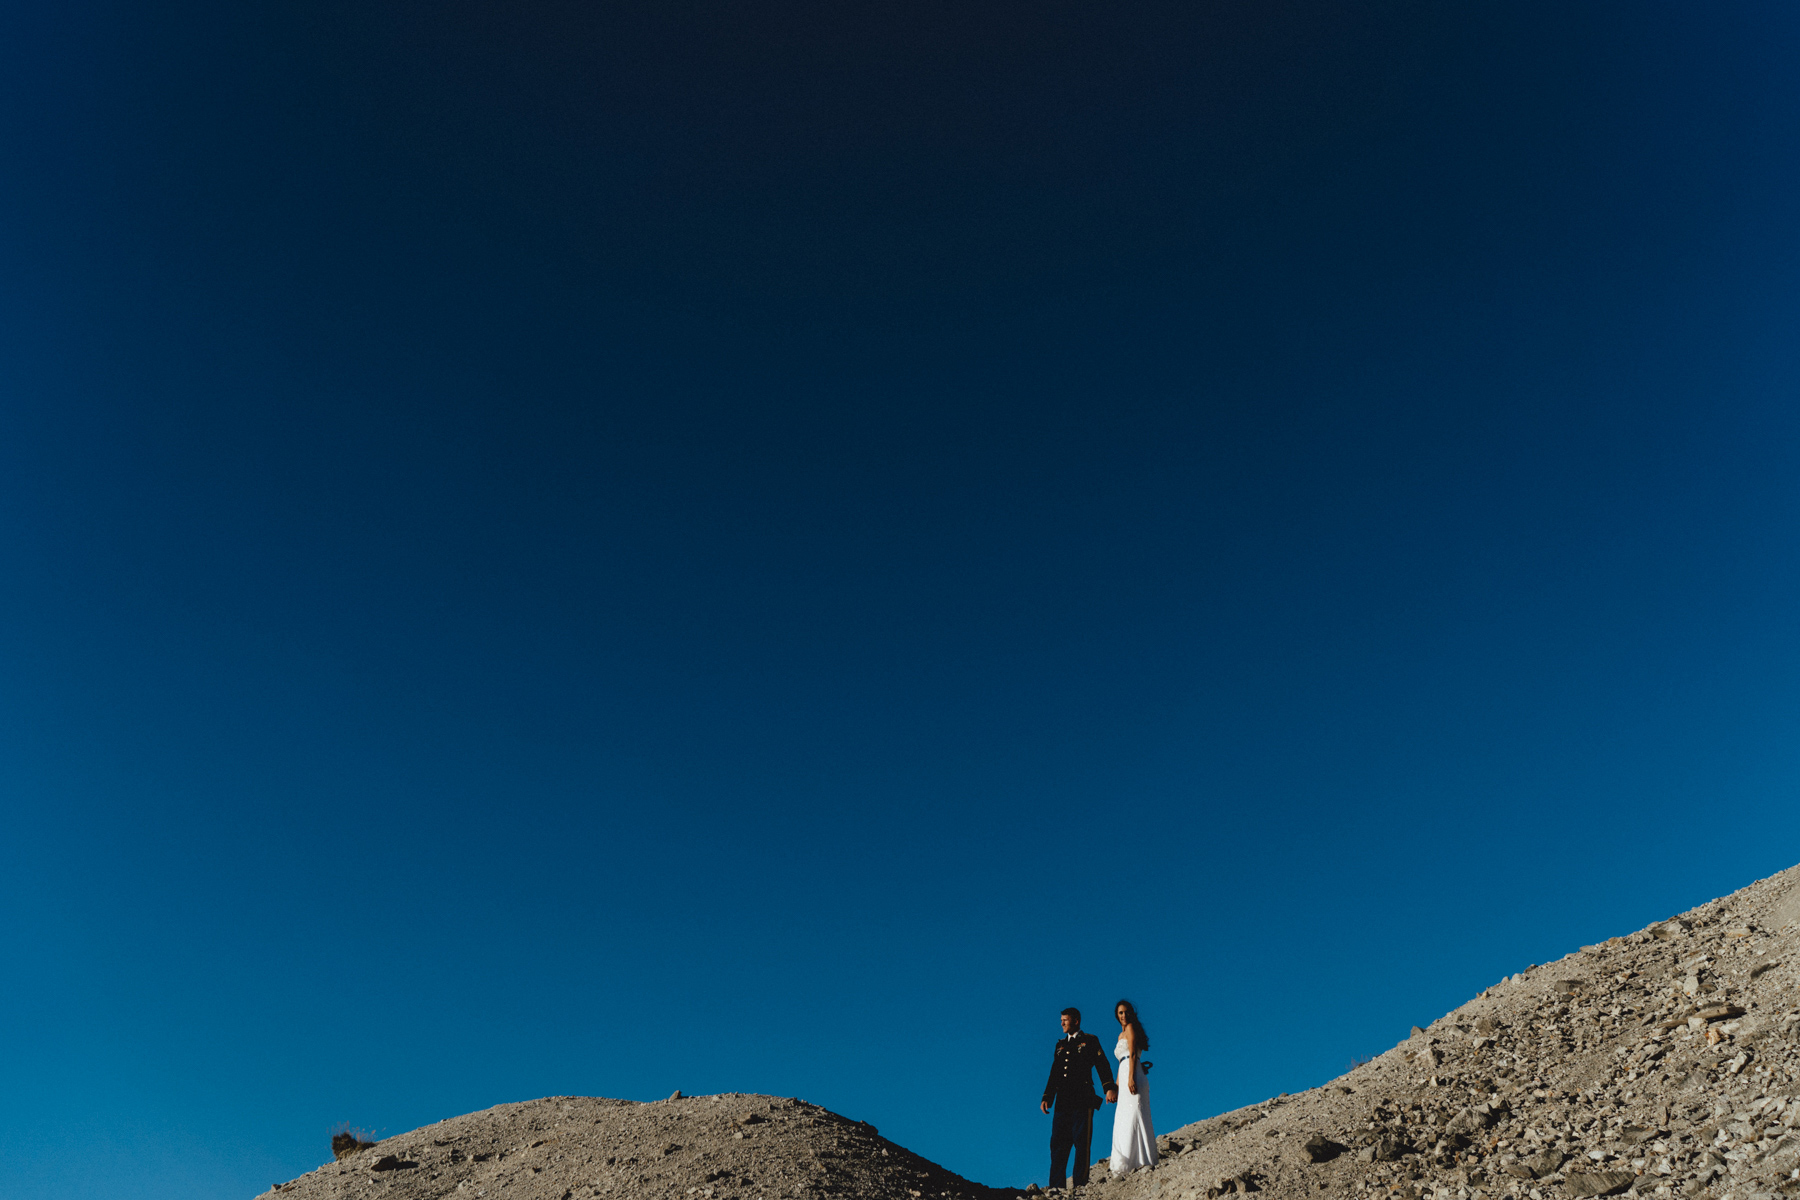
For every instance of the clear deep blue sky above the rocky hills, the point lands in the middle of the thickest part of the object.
(595, 550)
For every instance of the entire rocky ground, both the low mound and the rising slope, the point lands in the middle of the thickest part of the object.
(1662, 1064)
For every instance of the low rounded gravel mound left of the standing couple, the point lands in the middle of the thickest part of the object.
(703, 1147)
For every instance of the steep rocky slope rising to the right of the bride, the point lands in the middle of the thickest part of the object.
(1662, 1064)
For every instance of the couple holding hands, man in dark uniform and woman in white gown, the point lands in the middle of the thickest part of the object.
(1072, 1093)
